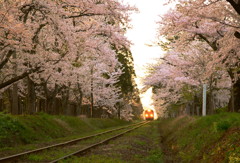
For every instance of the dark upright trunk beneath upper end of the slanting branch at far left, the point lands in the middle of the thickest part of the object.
(31, 97)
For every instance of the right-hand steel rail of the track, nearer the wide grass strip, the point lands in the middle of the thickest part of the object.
(81, 151)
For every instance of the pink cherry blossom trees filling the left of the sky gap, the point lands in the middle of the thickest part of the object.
(53, 50)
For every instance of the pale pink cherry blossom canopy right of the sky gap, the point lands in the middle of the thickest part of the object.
(193, 23)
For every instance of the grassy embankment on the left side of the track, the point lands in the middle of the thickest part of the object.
(16, 131)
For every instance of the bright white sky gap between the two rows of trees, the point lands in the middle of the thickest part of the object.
(143, 33)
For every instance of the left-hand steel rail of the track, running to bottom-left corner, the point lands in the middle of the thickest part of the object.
(15, 156)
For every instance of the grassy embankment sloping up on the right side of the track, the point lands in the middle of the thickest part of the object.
(214, 138)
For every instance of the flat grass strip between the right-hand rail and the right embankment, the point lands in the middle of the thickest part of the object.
(140, 145)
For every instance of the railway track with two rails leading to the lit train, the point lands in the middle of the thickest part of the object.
(111, 134)
